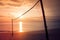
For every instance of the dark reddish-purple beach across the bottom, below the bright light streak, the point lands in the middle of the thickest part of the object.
(33, 35)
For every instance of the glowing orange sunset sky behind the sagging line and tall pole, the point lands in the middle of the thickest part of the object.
(51, 8)
